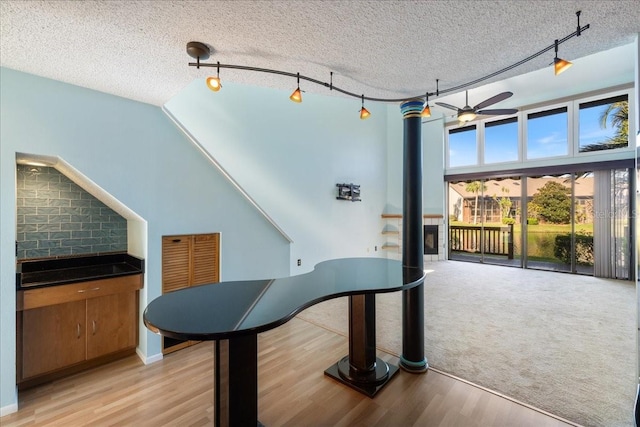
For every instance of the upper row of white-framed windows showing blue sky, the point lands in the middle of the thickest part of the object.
(571, 129)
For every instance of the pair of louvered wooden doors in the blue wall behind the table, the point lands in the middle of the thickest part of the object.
(188, 260)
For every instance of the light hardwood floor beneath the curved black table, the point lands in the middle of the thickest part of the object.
(178, 391)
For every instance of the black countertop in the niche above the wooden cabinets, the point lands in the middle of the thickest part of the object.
(62, 271)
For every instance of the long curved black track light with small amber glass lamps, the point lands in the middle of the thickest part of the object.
(201, 51)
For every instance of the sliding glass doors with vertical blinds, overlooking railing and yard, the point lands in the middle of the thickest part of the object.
(576, 222)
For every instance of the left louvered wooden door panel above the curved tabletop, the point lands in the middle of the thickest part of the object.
(176, 262)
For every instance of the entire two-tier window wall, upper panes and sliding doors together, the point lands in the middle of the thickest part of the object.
(547, 188)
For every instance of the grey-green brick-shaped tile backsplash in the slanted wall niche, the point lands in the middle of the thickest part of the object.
(55, 217)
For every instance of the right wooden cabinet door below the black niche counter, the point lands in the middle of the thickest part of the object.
(111, 323)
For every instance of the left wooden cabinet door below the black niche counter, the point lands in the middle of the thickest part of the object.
(53, 337)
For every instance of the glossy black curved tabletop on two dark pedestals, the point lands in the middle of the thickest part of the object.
(221, 310)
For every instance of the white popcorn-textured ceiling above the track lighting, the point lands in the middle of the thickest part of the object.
(390, 49)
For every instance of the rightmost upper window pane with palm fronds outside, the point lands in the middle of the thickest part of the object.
(604, 124)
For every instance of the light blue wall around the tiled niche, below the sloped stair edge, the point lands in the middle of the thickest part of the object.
(135, 153)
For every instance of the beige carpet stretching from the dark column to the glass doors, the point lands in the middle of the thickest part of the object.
(562, 343)
